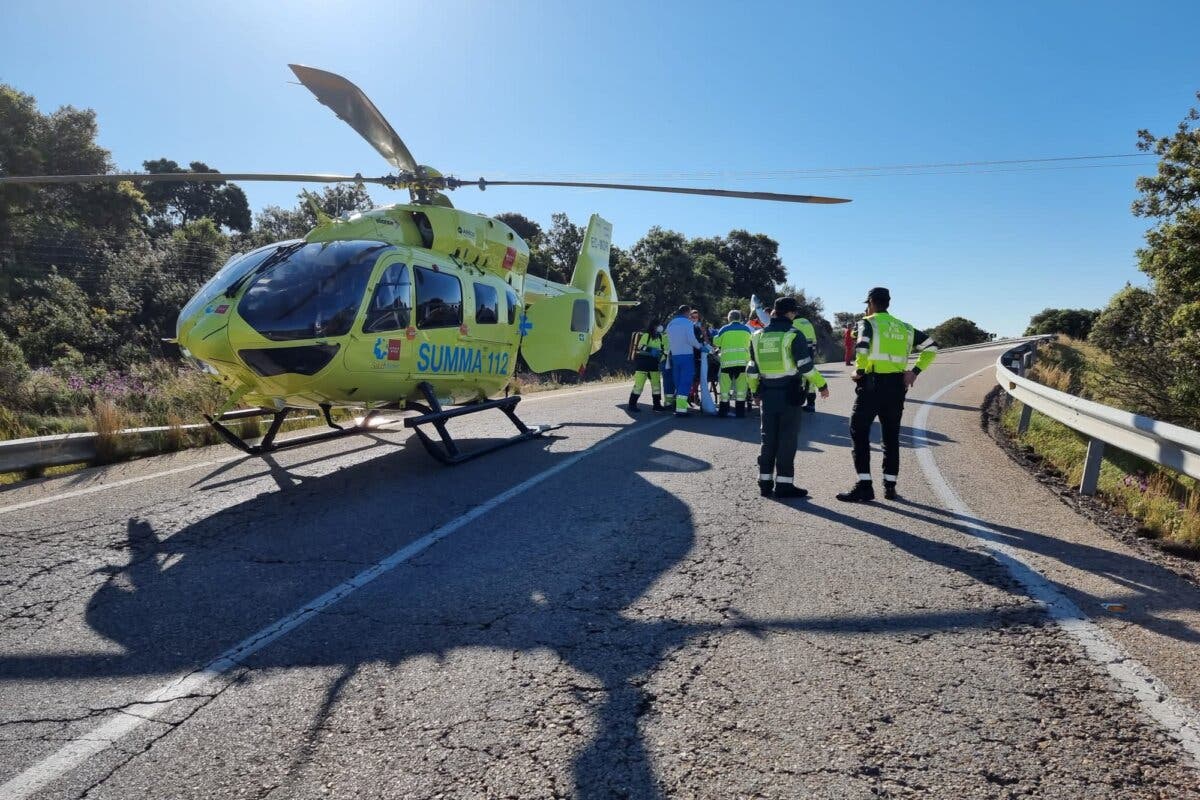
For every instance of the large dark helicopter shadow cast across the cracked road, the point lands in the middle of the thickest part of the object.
(579, 586)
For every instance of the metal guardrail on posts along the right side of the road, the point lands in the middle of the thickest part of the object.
(1161, 443)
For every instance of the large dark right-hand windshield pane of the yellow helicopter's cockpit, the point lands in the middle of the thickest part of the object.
(313, 293)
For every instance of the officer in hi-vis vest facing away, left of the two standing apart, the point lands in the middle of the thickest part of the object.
(782, 356)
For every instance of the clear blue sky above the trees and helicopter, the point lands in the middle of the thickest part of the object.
(674, 92)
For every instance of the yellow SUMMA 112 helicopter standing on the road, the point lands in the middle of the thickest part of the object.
(409, 308)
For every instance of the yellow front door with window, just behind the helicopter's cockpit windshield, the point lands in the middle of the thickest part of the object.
(382, 344)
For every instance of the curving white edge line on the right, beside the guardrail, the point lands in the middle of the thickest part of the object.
(1155, 699)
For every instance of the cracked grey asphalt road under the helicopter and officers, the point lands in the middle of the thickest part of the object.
(609, 612)
